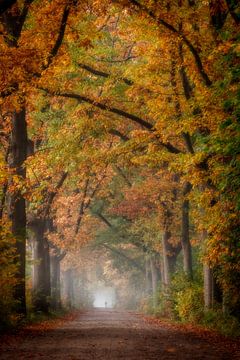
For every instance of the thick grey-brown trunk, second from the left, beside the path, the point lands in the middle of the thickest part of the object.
(41, 272)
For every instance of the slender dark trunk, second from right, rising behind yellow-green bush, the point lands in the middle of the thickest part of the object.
(185, 240)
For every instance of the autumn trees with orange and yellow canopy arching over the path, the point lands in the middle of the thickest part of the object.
(124, 114)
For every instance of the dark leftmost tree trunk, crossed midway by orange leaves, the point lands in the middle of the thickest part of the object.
(17, 206)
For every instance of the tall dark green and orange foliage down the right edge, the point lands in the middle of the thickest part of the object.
(224, 147)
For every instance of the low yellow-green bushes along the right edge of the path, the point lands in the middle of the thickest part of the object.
(184, 302)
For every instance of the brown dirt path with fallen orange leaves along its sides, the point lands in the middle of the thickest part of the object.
(111, 334)
